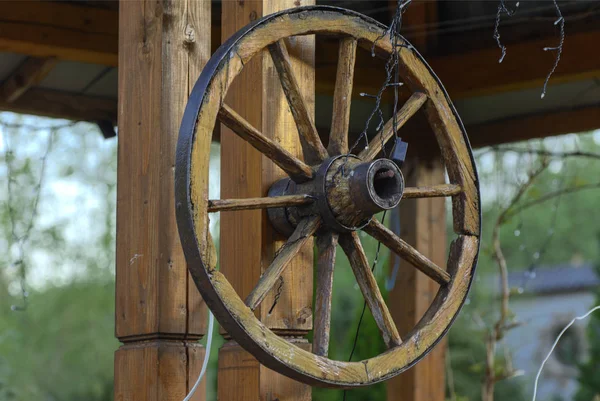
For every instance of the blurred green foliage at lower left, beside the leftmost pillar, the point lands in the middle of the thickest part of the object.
(62, 346)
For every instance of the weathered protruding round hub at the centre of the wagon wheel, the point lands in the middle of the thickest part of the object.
(347, 193)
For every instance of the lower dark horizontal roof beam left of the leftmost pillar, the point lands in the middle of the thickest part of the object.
(49, 103)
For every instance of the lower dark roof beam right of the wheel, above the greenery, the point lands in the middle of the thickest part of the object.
(549, 123)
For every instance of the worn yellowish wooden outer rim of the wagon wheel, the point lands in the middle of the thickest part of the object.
(191, 180)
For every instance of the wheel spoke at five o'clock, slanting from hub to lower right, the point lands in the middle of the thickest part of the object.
(368, 285)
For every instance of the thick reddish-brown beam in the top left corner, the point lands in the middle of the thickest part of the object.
(60, 29)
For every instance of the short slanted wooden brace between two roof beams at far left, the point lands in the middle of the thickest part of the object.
(28, 74)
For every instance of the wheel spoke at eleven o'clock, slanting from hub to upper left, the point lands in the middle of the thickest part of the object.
(314, 151)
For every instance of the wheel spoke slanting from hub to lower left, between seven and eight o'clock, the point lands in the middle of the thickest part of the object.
(305, 229)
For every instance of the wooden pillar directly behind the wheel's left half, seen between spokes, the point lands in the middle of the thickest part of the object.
(248, 243)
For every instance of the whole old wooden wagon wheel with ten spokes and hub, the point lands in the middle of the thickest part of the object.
(324, 200)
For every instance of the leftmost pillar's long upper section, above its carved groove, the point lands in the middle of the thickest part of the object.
(152, 279)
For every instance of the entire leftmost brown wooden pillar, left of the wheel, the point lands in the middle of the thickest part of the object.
(163, 46)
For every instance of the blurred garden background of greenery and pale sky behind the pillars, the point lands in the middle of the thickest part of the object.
(57, 242)
